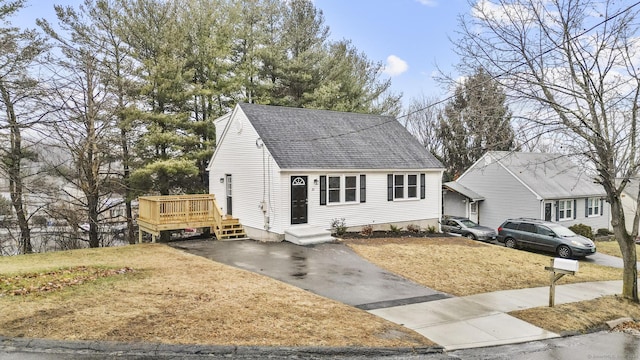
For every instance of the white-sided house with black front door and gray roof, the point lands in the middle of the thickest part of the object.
(285, 170)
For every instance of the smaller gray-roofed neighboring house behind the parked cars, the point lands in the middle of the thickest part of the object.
(534, 185)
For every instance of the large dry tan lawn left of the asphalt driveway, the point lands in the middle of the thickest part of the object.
(173, 297)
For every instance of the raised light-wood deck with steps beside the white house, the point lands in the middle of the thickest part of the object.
(174, 212)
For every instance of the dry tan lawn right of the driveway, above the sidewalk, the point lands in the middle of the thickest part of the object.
(461, 267)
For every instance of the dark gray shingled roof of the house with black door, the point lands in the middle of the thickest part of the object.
(321, 139)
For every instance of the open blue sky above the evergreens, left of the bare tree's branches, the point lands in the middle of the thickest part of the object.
(410, 36)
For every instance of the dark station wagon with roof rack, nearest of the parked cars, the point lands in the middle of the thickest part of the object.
(546, 236)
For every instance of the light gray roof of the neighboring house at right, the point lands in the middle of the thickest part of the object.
(552, 176)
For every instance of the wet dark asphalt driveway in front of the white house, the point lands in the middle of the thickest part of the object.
(331, 270)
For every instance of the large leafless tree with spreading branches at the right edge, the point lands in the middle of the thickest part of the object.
(575, 65)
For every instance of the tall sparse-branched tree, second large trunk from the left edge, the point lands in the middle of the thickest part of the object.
(84, 110)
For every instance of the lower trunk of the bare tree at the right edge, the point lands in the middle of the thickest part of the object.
(629, 256)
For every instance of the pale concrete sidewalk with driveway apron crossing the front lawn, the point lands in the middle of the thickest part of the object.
(481, 320)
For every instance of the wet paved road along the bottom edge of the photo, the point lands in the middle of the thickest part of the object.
(602, 345)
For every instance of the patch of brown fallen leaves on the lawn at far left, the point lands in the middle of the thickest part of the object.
(44, 282)
